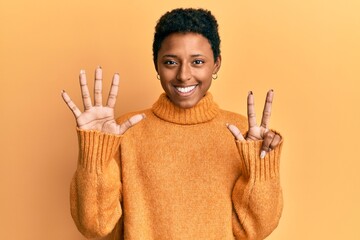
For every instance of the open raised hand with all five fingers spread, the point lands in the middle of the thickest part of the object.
(99, 117)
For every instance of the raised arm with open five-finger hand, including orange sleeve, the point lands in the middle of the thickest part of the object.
(95, 194)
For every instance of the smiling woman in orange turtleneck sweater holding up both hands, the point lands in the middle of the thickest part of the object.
(175, 171)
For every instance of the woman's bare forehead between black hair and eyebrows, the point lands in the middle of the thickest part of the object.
(191, 43)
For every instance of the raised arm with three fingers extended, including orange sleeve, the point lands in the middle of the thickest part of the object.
(257, 195)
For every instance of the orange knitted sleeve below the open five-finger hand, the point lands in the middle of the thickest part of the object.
(95, 192)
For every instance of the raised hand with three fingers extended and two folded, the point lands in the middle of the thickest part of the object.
(271, 139)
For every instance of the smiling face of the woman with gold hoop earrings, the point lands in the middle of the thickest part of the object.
(185, 64)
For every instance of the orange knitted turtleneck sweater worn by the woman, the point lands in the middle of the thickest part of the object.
(178, 174)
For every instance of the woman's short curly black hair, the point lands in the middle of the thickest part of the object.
(183, 20)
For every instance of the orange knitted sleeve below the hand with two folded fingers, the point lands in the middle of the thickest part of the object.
(257, 195)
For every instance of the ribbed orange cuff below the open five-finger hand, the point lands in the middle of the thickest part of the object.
(96, 149)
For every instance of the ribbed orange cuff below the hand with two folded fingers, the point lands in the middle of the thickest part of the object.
(253, 166)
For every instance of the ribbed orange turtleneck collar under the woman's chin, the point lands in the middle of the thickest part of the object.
(205, 110)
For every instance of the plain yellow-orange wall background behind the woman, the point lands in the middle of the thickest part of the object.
(307, 51)
